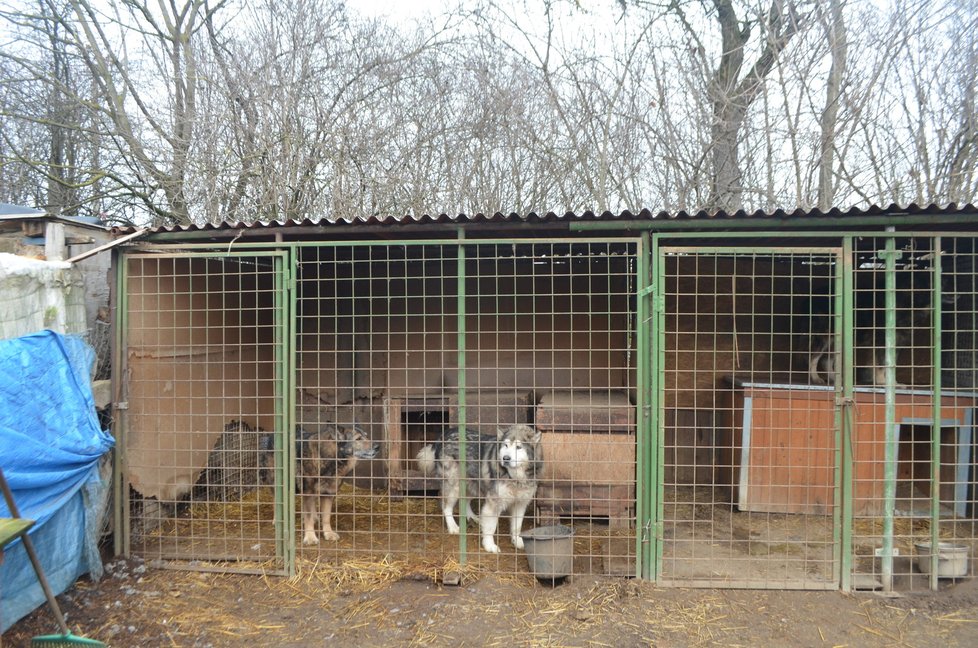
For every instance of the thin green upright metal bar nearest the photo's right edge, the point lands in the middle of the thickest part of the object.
(935, 441)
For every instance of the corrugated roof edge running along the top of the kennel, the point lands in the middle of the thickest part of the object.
(553, 217)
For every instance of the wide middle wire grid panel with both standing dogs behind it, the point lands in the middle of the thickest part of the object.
(411, 342)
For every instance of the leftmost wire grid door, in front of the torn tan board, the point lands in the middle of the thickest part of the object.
(204, 433)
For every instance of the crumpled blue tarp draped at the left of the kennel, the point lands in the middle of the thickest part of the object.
(50, 446)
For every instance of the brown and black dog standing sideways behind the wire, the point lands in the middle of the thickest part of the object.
(325, 457)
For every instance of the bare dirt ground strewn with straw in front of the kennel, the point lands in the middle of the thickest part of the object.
(386, 604)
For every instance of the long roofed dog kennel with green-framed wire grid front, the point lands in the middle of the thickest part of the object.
(727, 400)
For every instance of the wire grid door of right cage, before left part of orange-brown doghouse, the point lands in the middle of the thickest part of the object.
(749, 429)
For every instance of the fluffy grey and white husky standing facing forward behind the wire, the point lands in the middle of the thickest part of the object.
(501, 471)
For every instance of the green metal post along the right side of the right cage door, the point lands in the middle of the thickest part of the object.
(845, 422)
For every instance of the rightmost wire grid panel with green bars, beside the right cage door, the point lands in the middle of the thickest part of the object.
(914, 408)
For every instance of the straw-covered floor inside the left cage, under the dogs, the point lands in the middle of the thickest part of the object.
(372, 526)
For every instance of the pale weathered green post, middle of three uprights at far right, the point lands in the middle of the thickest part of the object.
(891, 439)
